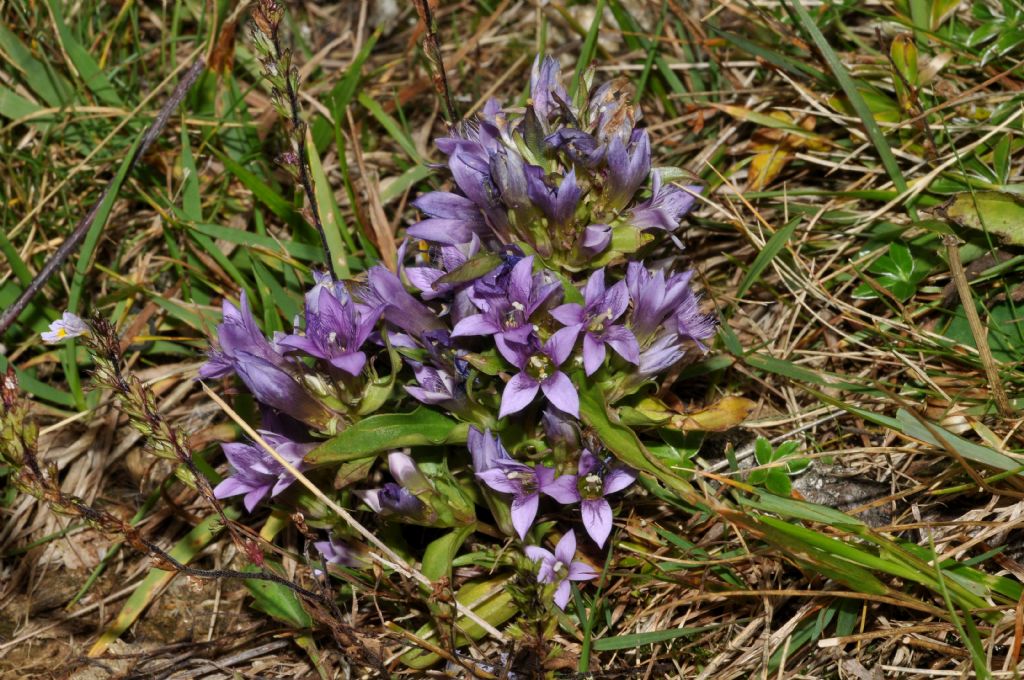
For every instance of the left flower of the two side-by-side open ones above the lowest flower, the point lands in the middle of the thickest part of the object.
(527, 485)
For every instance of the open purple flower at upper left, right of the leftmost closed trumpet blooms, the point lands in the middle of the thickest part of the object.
(335, 331)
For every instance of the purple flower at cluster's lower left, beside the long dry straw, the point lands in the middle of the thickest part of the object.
(257, 474)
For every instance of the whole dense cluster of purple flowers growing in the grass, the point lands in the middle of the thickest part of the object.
(546, 272)
